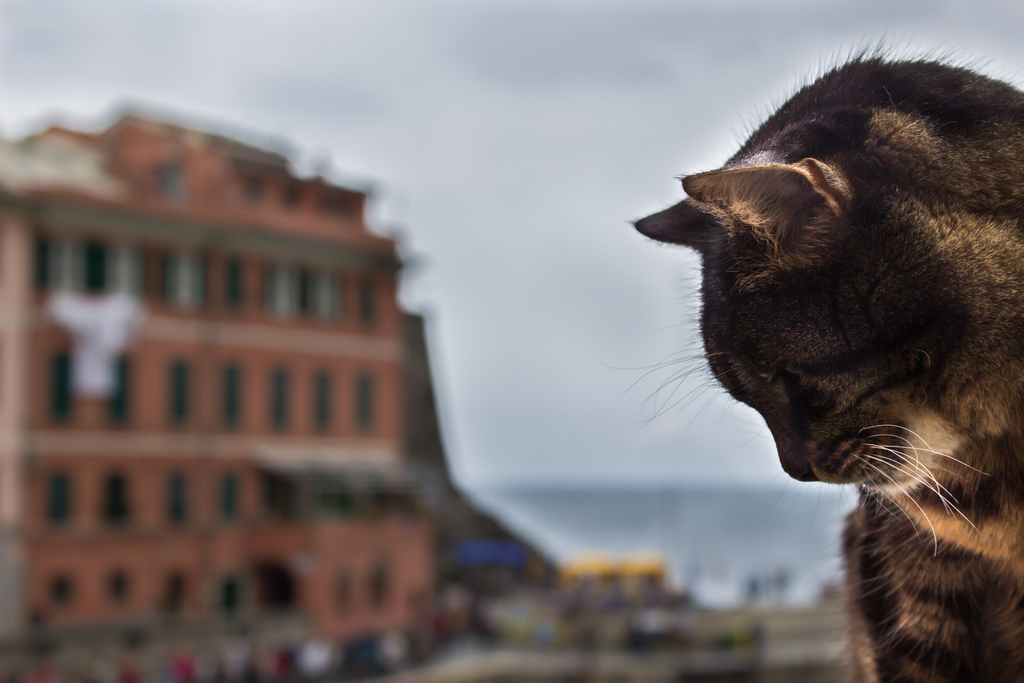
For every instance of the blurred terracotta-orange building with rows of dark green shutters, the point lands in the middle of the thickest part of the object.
(247, 458)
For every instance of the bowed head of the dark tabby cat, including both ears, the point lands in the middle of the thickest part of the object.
(866, 325)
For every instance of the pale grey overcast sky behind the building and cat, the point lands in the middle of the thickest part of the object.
(510, 145)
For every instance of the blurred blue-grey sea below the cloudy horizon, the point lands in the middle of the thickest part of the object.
(727, 546)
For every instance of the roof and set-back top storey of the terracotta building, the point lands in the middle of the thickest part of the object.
(226, 184)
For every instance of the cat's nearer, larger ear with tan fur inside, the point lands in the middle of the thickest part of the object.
(790, 208)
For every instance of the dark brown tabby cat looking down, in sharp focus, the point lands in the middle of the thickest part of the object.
(864, 290)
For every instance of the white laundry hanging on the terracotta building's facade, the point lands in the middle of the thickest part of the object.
(101, 328)
